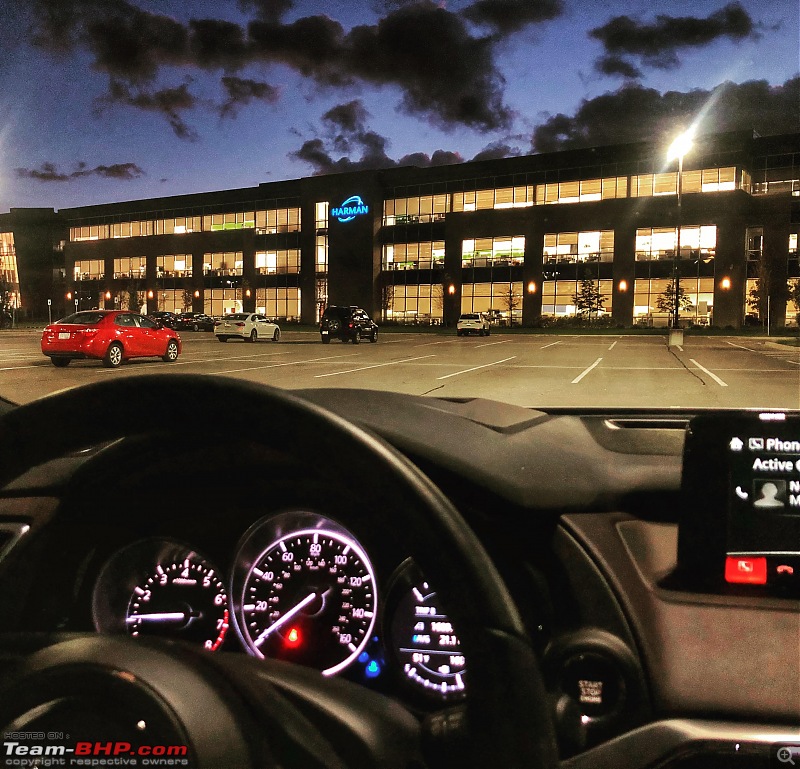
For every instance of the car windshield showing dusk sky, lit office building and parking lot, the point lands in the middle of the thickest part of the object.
(612, 191)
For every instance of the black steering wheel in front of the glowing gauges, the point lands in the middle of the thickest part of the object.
(236, 711)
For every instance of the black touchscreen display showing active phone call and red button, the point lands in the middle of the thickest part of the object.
(740, 521)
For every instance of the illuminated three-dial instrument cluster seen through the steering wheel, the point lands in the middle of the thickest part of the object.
(301, 589)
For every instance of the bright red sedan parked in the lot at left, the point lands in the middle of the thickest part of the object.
(108, 335)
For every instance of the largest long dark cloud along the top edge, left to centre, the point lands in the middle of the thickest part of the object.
(444, 73)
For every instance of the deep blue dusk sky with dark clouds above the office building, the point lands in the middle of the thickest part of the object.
(112, 100)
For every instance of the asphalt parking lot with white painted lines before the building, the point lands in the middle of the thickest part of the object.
(526, 369)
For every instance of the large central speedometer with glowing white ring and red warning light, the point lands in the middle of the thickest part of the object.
(309, 597)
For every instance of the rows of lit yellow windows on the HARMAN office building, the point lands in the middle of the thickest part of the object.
(254, 253)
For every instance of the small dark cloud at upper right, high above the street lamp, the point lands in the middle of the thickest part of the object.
(657, 44)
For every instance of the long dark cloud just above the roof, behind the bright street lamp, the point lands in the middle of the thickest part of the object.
(634, 113)
